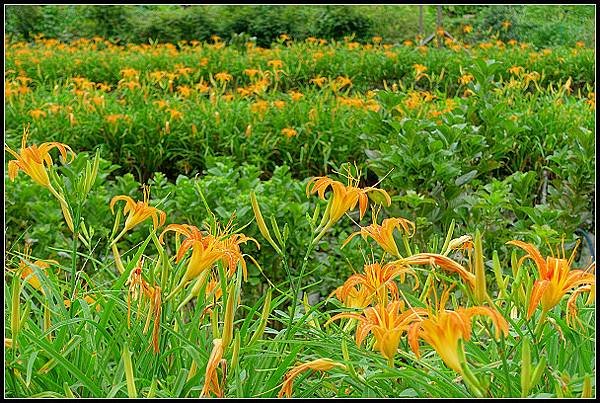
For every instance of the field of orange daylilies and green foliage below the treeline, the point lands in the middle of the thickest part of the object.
(315, 219)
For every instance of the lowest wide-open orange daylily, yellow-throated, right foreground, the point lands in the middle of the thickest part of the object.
(442, 329)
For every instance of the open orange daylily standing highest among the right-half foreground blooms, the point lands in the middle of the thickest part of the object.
(344, 197)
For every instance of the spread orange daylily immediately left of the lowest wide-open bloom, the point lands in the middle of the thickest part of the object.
(387, 323)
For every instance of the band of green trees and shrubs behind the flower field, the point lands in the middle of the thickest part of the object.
(539, 25)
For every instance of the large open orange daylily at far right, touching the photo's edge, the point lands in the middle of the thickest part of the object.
(556, 278)
